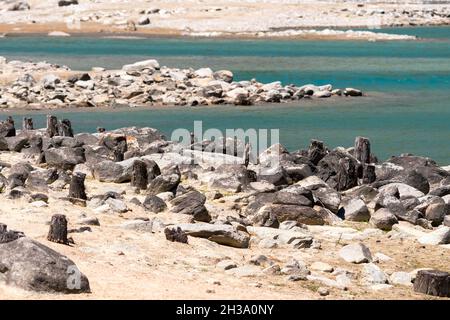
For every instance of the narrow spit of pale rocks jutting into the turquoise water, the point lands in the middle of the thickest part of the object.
(144, 83)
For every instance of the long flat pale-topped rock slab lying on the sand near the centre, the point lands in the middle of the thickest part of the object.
(222, 234)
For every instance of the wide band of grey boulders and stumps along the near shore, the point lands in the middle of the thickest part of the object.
(309, 192)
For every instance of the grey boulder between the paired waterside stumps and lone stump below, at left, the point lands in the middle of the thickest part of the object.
(64, 158)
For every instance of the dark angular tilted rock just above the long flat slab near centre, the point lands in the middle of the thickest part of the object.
(191, 203)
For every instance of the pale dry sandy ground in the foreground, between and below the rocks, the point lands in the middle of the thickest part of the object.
(124, 264)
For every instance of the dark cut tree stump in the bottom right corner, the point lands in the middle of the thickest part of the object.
(433, 283)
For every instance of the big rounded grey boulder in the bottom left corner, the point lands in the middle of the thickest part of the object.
(30, 265)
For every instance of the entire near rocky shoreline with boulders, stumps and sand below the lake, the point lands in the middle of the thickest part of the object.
(312, 221)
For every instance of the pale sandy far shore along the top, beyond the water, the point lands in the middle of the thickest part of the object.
(208, 17)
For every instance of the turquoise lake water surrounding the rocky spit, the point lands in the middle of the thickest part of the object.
(407, 107)
